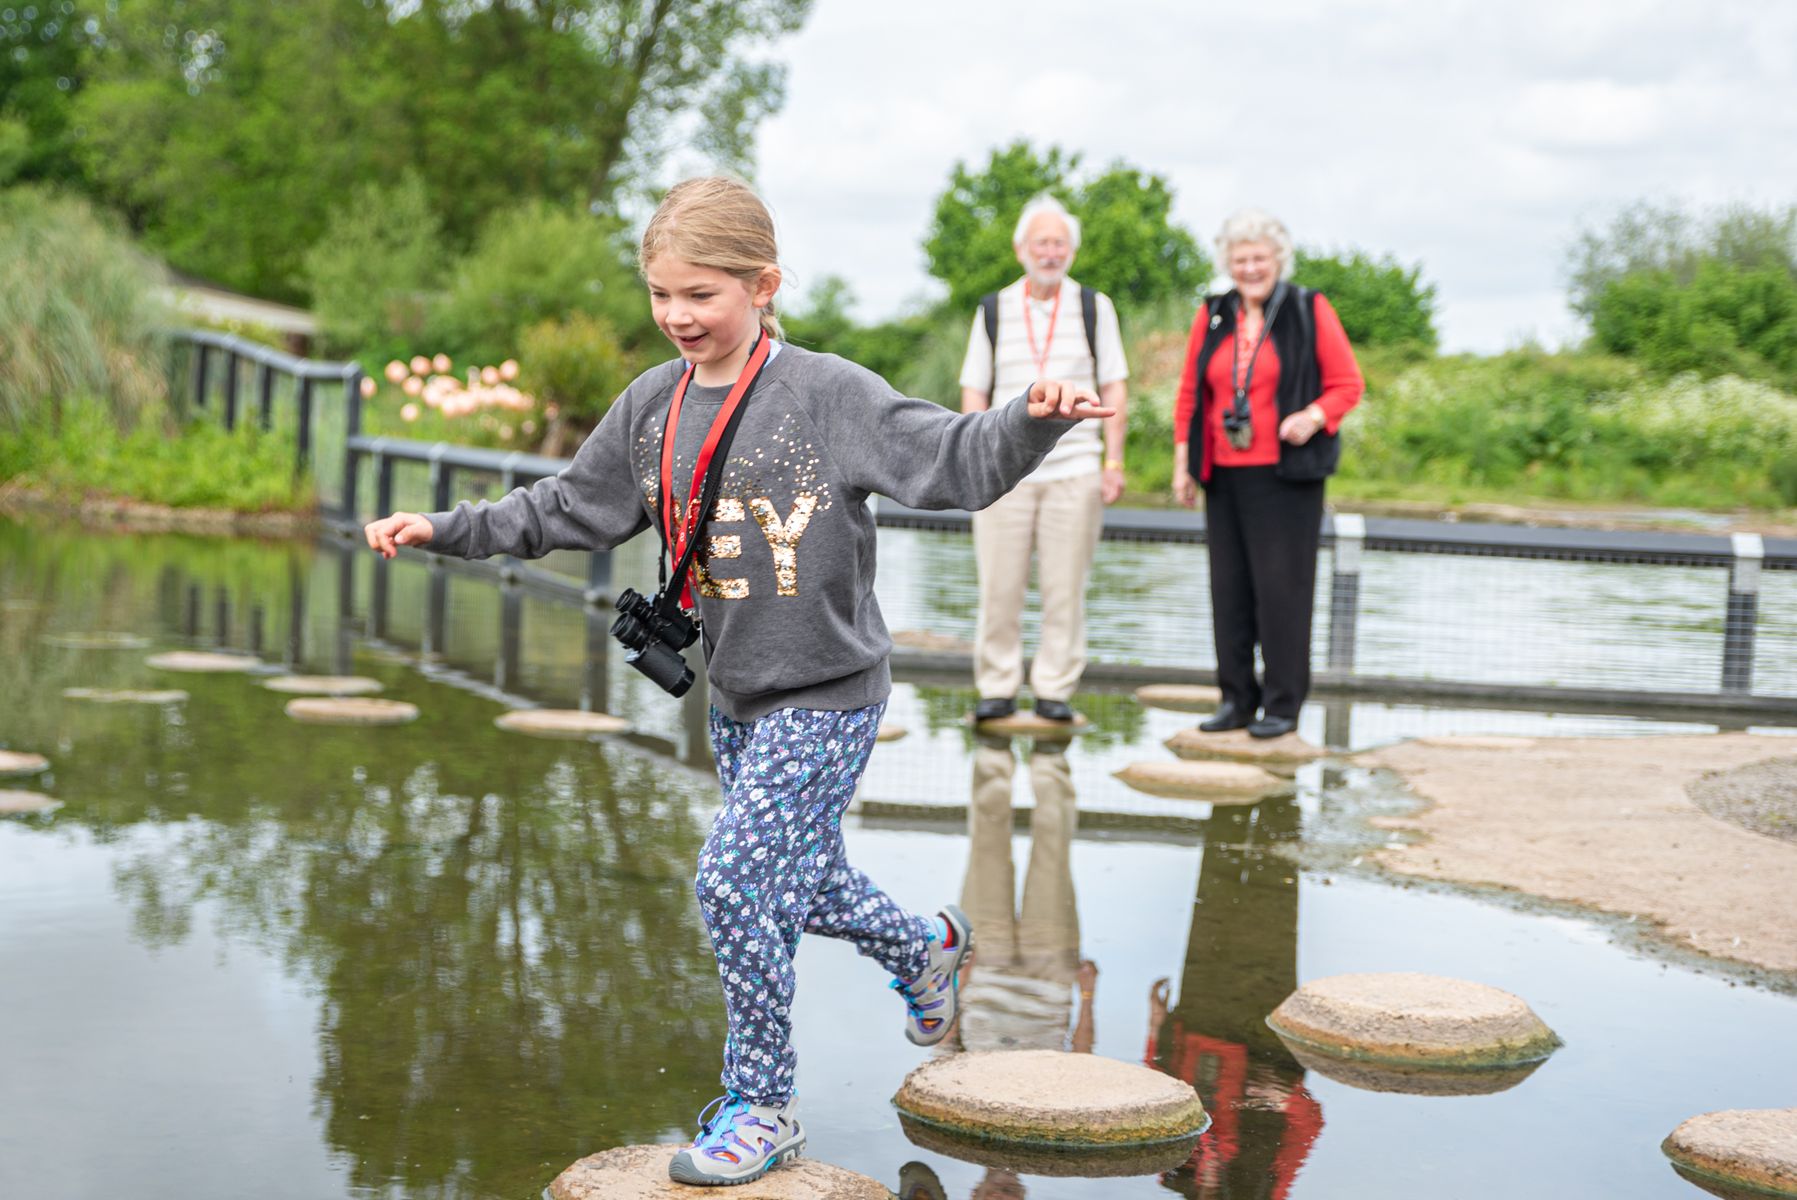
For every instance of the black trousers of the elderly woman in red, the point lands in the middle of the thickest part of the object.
(1264, 581)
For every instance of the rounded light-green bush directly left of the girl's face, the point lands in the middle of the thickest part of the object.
(540, 263)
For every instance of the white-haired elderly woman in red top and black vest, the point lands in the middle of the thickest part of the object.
(1270, 378)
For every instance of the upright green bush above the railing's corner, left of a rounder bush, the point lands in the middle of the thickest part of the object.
(375, 269)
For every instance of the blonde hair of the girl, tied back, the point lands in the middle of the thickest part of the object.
(720, 224)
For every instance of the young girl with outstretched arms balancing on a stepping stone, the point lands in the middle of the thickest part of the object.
(793, 637)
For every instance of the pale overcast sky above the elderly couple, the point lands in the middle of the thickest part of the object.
(1471, 137)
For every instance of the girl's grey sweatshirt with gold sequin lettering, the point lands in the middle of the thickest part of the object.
(784, 574)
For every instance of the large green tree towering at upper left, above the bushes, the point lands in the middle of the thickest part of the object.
(229, 130)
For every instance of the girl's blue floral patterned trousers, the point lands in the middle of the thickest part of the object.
(775, 869)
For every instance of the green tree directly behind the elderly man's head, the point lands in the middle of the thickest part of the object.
(1129, 247)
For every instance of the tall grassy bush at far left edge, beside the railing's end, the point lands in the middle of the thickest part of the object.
(78, 313)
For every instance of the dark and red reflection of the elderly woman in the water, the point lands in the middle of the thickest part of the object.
(1241, 962)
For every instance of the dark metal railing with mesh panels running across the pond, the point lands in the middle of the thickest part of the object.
(1347, 538)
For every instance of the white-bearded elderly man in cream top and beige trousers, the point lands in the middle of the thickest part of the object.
(1043, 328)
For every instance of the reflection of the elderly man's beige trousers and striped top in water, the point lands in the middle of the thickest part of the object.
(1020, 991)
